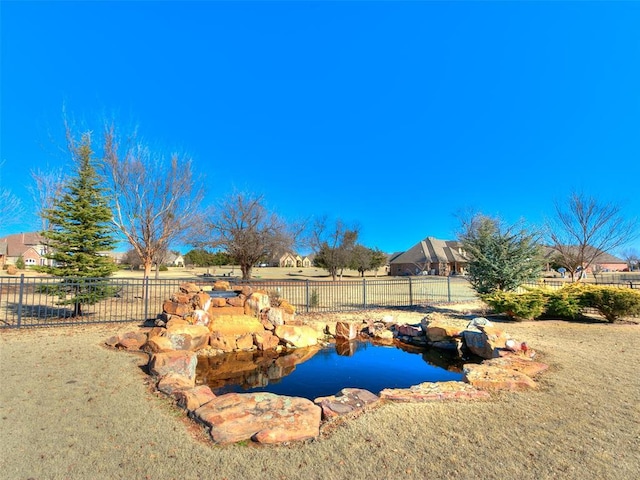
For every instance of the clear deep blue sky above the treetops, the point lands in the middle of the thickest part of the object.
(392, 115)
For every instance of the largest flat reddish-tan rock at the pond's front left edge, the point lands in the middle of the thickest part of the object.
(261, 417)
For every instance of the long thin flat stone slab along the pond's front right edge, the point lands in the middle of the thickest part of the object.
(434, 391)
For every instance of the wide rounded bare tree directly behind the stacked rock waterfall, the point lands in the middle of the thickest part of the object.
(243, 227)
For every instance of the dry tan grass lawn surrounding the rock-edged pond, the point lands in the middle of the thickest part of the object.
(72, 409)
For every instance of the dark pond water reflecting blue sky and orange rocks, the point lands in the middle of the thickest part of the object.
(317, 372)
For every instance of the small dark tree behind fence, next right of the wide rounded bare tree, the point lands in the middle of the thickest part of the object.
(333, 244)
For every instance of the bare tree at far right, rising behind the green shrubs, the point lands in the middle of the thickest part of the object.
(584, 229)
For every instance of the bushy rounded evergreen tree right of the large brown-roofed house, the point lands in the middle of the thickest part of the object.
(500, 258)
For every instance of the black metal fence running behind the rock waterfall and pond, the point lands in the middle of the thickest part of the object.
(29, 301)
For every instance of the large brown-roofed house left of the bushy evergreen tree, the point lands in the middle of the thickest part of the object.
(430, 256)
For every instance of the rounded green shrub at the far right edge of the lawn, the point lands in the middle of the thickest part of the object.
(611, 302)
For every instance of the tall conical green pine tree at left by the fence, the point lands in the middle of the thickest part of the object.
(79, 234)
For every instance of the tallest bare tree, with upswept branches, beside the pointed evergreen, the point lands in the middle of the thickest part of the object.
(155, 202)
